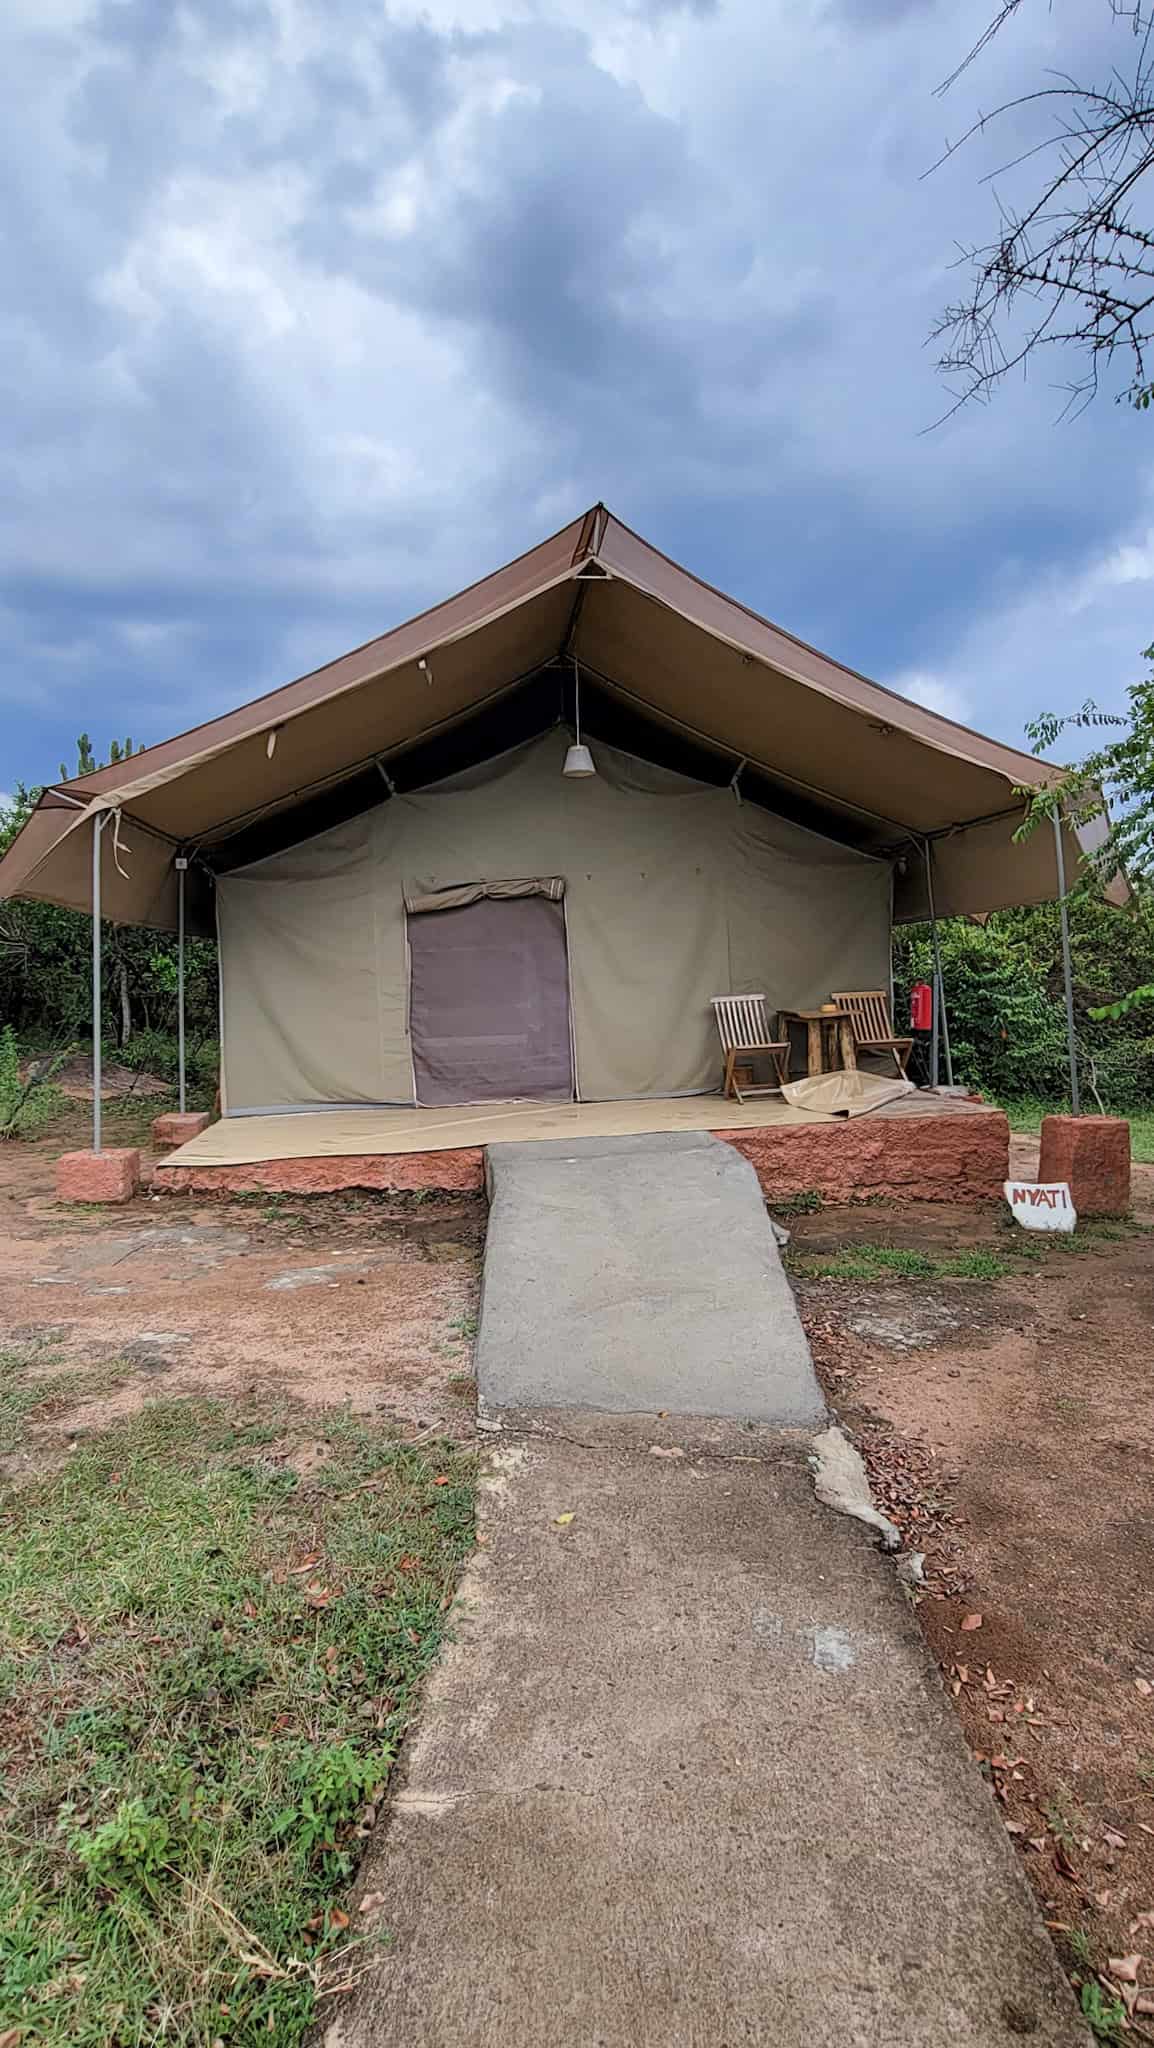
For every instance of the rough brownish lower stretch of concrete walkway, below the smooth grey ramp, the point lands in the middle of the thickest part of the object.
(688, 1781)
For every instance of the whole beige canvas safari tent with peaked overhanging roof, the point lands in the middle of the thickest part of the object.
(390, 839)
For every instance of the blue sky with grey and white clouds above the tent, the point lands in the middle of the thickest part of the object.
(315, 310)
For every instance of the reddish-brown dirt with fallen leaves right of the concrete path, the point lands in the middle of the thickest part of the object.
(1009, 1431)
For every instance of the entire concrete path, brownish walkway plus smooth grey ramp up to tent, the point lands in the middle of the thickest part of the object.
(686, 1779)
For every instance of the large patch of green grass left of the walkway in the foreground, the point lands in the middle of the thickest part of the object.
(196, 1727)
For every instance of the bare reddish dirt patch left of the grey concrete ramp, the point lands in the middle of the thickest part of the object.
(364, 1302)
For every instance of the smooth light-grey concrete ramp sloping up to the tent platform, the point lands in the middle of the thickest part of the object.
(638, 1275)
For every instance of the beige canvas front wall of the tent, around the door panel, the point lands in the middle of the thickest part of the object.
(675, 892)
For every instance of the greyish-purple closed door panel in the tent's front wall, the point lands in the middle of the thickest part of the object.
(491, 1002)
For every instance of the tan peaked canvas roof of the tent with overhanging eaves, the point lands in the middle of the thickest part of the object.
(659, 644)
